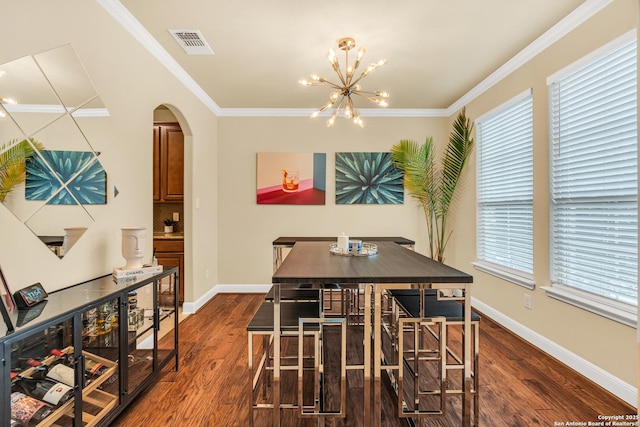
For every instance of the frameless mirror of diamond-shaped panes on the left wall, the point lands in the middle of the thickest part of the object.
(51, 177)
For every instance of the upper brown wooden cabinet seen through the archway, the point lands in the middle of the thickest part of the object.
(168, 163)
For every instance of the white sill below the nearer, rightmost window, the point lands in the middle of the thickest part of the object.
(617, 311)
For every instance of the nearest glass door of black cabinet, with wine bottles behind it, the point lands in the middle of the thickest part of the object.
(42, 375)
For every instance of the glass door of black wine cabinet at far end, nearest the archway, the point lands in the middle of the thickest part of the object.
(167, 302)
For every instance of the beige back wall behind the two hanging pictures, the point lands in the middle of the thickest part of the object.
(247, 229)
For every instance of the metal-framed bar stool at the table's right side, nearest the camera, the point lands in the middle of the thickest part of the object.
(408, 304)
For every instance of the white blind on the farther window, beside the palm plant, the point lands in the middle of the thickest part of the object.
(505, 186)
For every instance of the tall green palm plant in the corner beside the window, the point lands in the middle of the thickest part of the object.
(433, 184)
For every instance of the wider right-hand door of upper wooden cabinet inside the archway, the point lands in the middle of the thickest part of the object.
(172, 163)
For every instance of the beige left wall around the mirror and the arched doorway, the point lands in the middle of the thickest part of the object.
(132, 85)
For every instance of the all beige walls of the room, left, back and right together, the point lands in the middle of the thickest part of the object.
(229, 236)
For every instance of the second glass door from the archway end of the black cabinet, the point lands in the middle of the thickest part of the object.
(141, 338)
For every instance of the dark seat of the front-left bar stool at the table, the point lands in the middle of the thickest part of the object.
(262, 320)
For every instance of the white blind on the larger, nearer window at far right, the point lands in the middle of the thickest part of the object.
(594, 207)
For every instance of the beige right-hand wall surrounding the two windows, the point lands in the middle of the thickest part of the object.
(607, 344)
